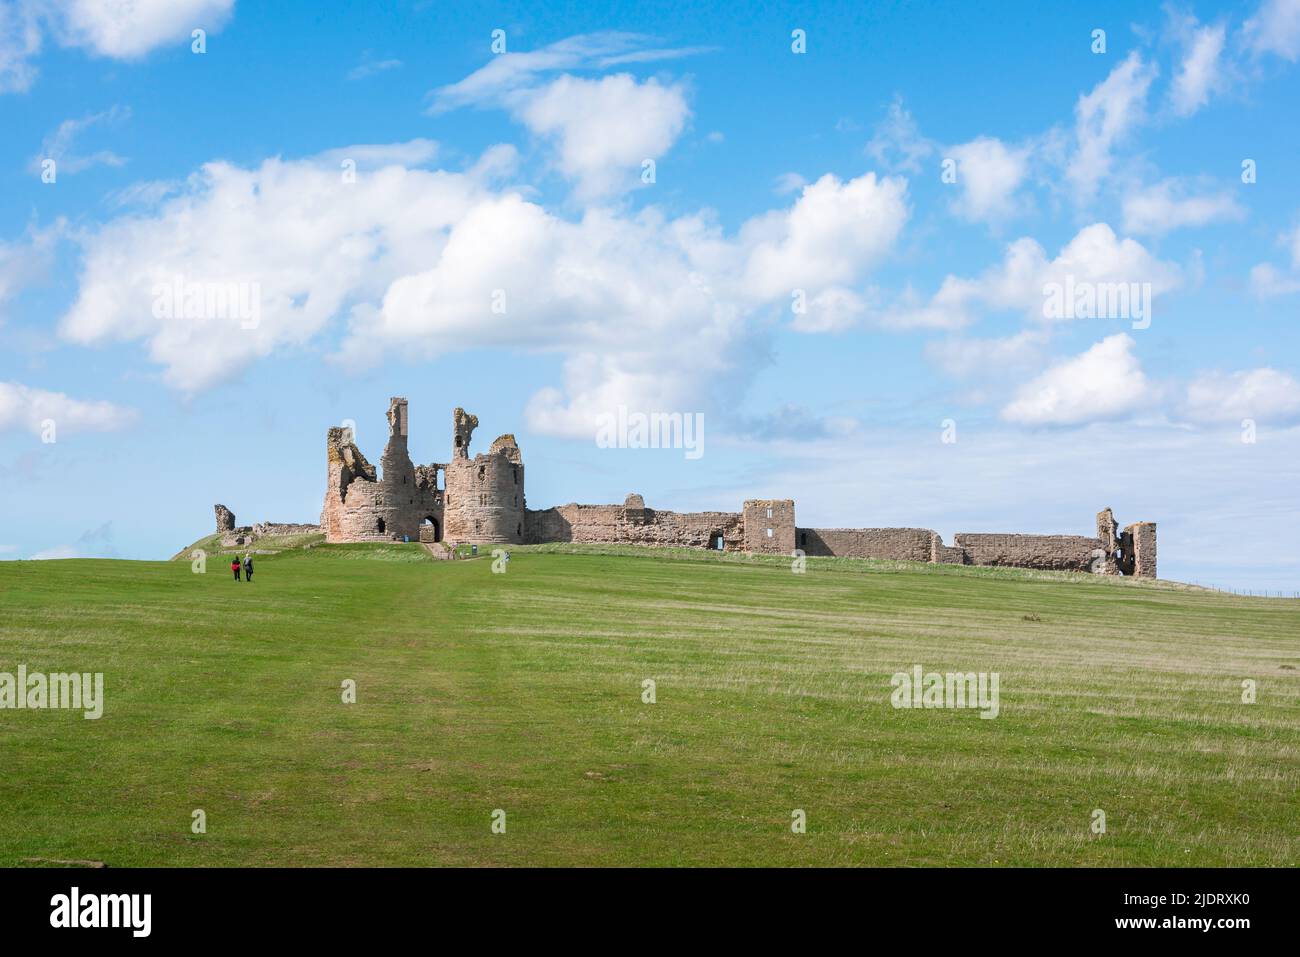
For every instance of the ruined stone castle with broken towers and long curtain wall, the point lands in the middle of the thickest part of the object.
(482, 500)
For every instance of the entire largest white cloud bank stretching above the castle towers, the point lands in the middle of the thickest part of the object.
(647, 311)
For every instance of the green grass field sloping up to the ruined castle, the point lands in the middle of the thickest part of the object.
(525, 692)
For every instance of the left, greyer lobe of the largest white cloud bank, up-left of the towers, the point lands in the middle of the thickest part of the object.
(293, 240)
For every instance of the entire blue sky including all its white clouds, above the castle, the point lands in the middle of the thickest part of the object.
(372, 177)
